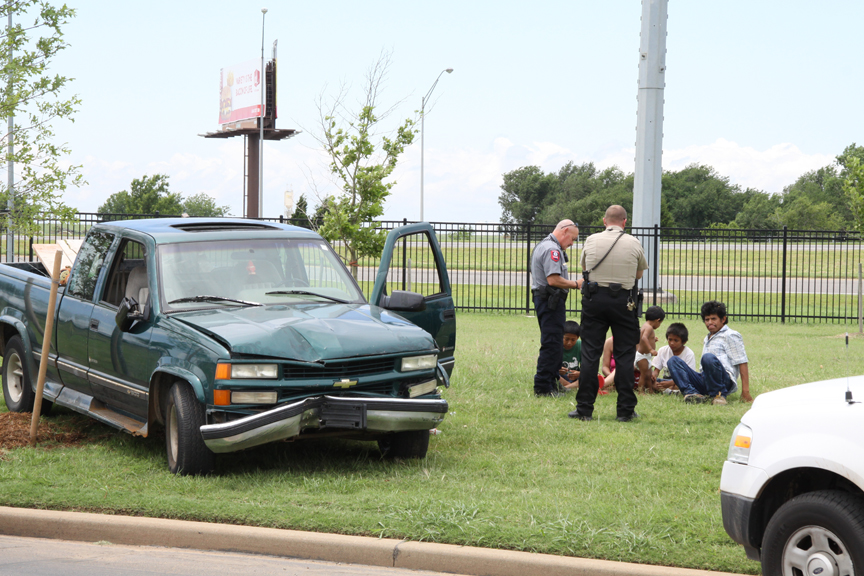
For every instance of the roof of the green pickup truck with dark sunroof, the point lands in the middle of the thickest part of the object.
(173, 230)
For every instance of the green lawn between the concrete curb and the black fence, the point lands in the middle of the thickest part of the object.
(509, 470)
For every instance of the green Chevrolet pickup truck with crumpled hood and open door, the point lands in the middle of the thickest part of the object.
(233, 333)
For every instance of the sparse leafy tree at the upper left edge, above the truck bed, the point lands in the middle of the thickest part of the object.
(33, 97)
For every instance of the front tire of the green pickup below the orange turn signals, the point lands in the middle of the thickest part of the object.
(184, 416)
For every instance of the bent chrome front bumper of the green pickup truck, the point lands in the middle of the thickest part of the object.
(330, 412)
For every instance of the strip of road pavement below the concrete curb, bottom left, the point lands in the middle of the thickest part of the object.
(42, 557)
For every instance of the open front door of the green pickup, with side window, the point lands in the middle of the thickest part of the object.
(412, 280)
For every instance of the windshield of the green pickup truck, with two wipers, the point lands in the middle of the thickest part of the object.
(280, 271)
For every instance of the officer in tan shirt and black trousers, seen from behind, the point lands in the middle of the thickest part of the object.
(612, 262)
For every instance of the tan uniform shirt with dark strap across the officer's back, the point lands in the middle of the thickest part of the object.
(622, 264)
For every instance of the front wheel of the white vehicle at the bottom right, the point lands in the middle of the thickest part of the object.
(823, 529)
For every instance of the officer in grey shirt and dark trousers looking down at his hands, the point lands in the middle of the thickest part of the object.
(549, 286)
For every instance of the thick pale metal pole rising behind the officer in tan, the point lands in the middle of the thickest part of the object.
(649, 127)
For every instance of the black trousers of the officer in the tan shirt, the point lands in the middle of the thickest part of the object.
(602, 311)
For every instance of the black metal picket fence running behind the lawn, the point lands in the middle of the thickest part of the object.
(775, 275)
